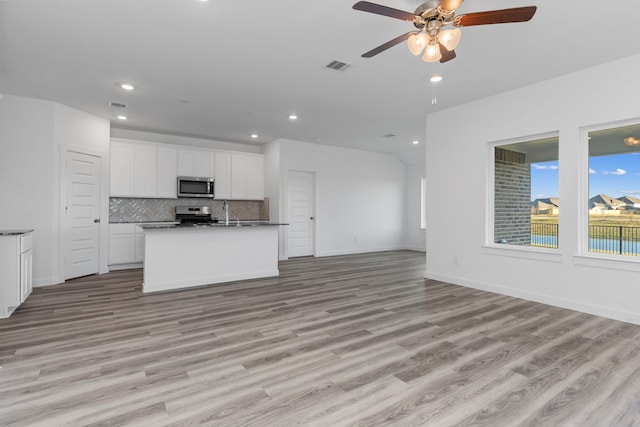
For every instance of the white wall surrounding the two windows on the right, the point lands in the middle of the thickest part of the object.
(457, 173)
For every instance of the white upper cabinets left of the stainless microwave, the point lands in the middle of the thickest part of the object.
(142, 169)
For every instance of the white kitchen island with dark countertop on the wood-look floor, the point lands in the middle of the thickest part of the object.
(182, 256)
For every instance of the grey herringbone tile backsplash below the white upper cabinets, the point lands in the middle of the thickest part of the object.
(150, 210)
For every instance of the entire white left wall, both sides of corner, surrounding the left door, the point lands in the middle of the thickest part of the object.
(32, 134)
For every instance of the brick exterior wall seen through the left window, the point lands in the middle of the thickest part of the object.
(512, 213)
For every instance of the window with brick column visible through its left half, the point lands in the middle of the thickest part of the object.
(525, 200)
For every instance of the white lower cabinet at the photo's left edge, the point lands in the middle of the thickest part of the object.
(16, 271)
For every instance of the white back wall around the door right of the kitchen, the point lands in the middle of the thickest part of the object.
(359, 197)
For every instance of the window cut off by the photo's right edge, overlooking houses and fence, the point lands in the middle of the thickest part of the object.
(613, 203)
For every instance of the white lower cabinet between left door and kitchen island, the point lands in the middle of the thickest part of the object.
(126, 246)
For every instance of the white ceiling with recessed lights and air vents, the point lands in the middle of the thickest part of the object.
(245, 65)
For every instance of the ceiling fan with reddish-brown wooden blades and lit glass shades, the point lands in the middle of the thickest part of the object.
(431, 18)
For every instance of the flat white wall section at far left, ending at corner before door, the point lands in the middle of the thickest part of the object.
(28, 174)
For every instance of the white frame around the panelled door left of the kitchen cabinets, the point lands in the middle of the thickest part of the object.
(103, 248)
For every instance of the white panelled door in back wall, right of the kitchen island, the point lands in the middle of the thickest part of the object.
(301, 213)
